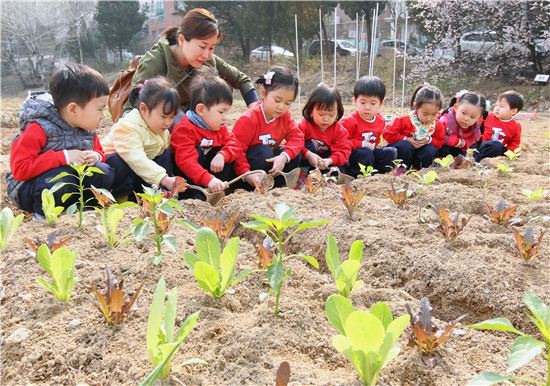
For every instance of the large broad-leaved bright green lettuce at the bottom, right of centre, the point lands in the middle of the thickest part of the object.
(368, 339)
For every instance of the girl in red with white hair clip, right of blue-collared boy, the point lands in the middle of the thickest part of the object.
(269, 137)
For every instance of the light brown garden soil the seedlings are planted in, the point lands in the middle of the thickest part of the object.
(480, 275)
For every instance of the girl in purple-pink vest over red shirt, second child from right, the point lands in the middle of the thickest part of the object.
(462, 123)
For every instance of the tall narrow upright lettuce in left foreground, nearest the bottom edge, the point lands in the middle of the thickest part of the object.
(162, 339)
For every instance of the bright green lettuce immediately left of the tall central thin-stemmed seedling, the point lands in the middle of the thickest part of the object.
(214, 269)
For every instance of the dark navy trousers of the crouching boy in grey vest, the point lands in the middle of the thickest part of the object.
(30, 193)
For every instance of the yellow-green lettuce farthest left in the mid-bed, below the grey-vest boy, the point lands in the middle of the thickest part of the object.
(60, 266)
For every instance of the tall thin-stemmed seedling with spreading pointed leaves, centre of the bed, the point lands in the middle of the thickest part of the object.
(280, 230)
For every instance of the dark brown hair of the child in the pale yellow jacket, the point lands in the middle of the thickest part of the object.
(154, 92)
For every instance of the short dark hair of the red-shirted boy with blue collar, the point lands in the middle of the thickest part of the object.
(209, 89)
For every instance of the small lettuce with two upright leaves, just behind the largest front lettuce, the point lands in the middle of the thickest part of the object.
(345, 273)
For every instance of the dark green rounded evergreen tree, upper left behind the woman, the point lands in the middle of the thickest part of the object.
(118, 22)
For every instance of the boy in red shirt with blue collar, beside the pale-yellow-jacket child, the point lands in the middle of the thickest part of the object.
(203, 148)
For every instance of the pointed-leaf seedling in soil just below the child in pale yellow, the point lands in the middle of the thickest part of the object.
(159, 213)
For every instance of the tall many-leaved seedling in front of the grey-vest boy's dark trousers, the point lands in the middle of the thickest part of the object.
(82, 171)
